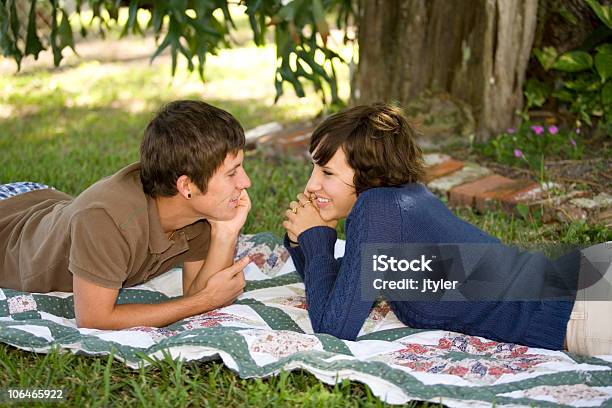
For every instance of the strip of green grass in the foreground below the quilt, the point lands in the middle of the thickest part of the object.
(101, 381)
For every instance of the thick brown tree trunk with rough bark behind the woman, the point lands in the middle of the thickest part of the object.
(476, 51)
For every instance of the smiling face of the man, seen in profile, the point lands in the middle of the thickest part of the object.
(220, 201)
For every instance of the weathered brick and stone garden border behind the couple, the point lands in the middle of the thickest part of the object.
(467, 184)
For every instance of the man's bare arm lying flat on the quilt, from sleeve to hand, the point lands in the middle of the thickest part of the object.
(95, 307)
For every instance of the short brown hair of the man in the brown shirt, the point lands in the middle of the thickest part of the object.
(189, 138)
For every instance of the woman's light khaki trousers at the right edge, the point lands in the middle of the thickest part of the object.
(589, 330)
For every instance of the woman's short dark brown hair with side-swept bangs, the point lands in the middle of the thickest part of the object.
(379, 144)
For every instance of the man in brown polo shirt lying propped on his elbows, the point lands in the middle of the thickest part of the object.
(183, 203)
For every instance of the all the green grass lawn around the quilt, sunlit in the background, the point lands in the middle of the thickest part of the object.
(70, 127)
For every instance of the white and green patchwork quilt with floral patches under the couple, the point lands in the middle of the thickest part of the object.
(268, 330)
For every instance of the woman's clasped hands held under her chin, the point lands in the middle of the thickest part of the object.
(303, 214)
